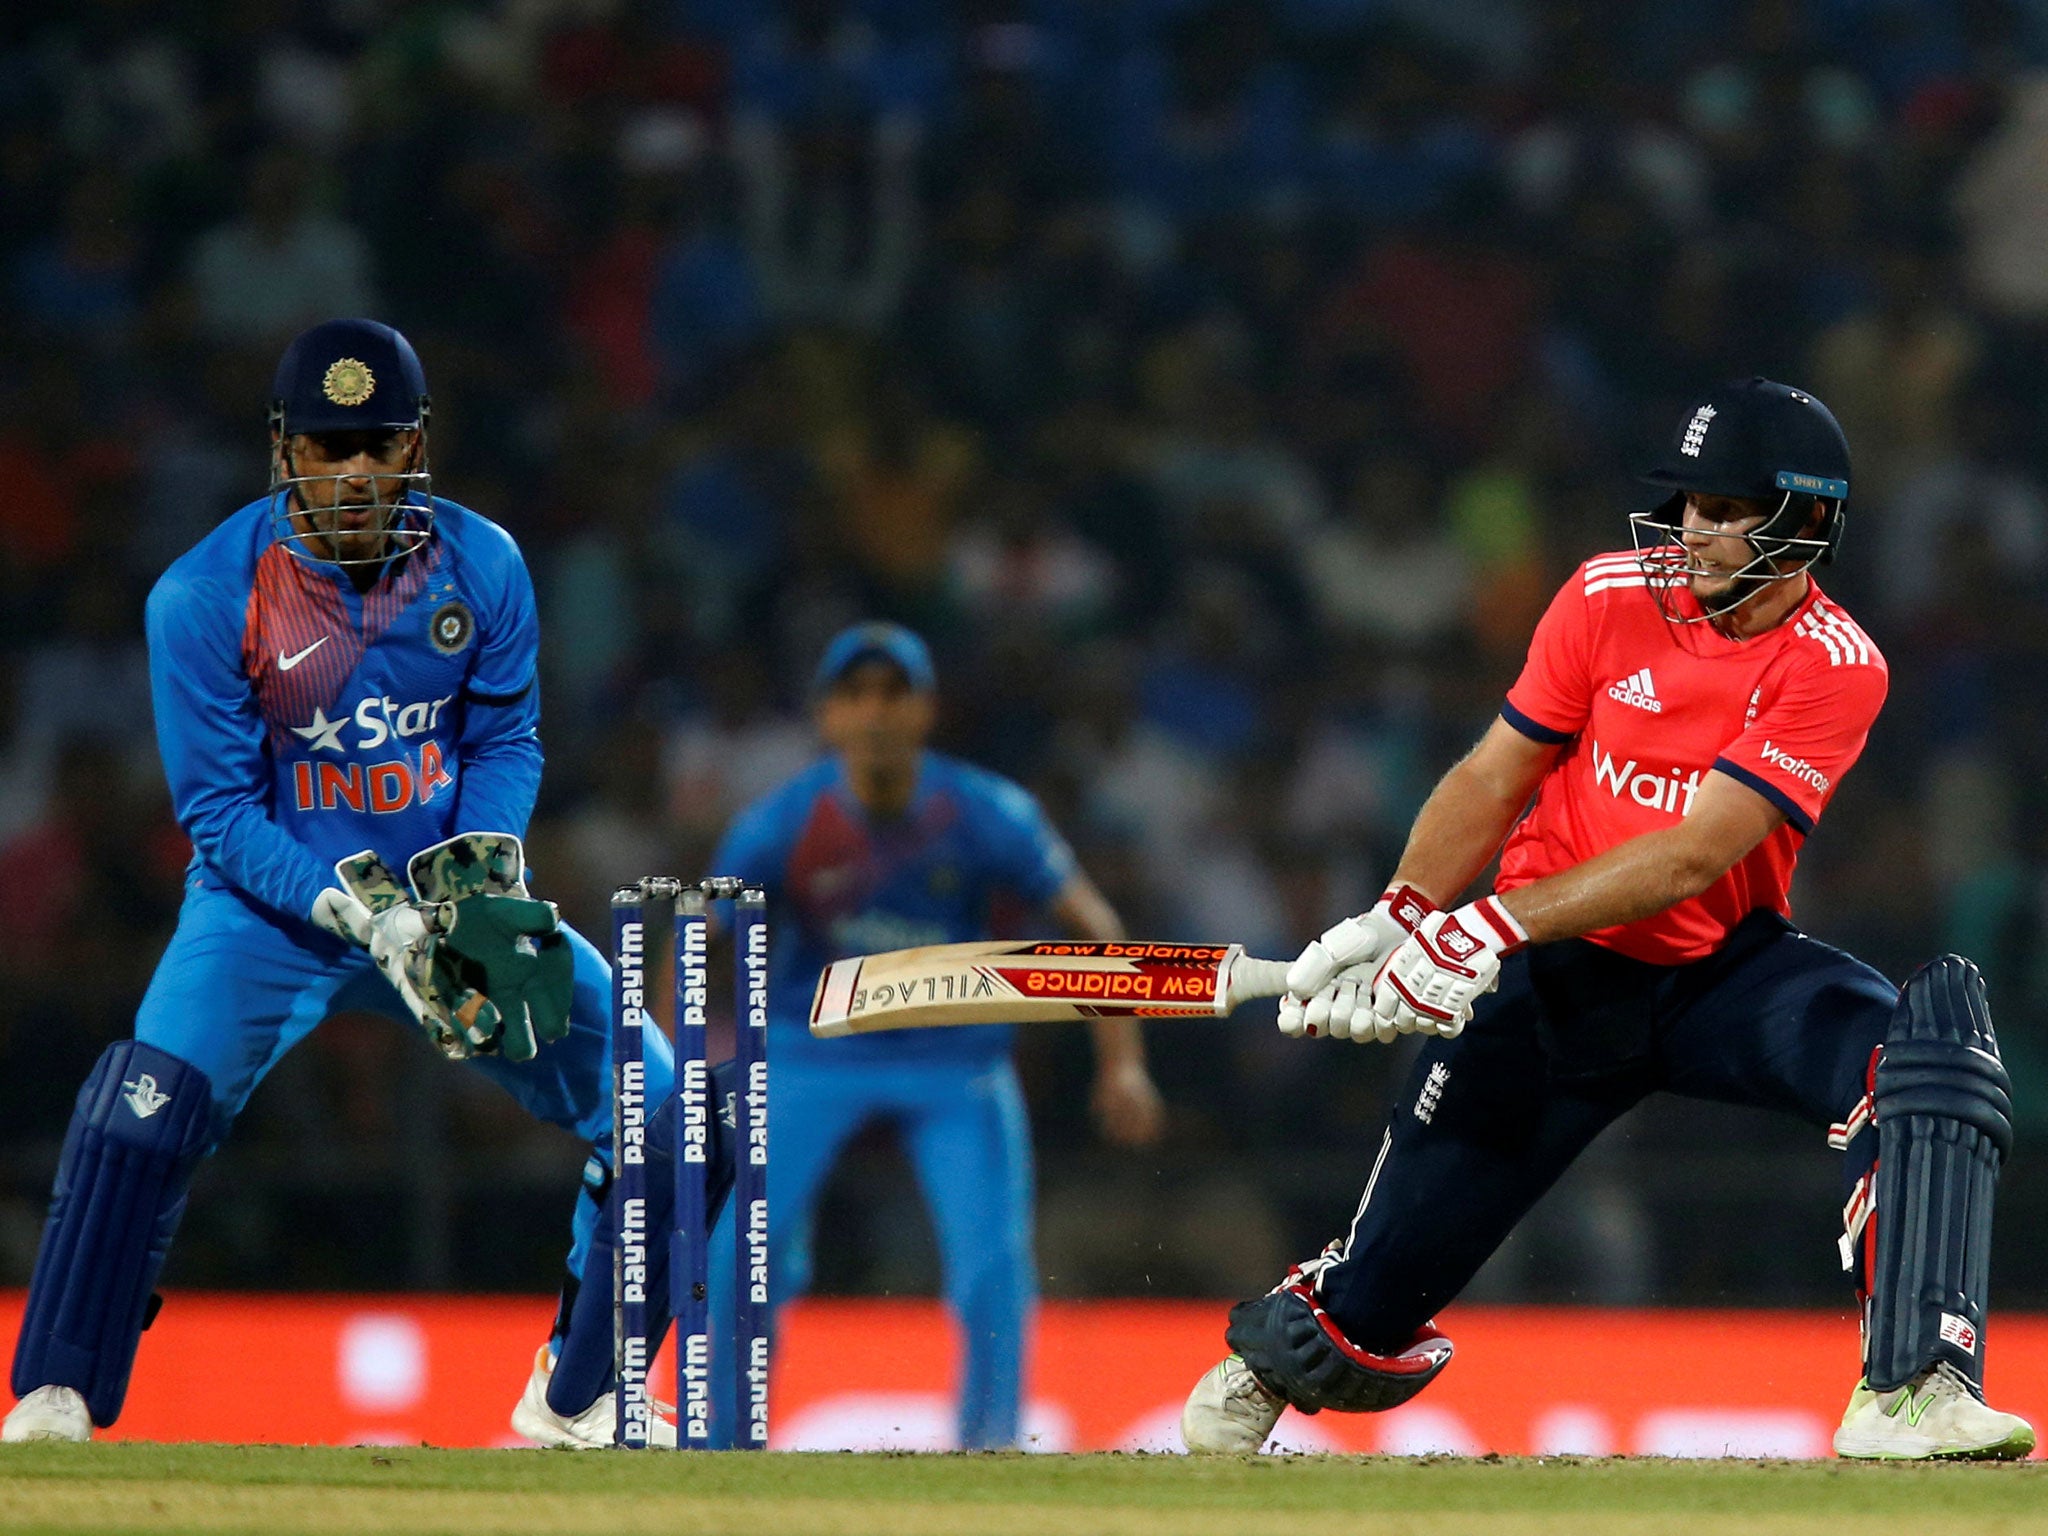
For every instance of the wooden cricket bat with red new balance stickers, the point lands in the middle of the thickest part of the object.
(1037, 984)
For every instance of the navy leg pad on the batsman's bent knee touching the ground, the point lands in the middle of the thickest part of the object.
(1299, 1355)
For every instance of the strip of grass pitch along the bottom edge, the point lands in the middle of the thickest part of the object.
(310, 1492)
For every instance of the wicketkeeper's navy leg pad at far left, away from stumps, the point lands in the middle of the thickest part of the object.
(144, 1119)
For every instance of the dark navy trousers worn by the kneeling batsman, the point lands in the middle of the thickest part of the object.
(1574, 1037)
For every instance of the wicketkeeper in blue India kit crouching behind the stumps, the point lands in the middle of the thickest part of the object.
(347, 710)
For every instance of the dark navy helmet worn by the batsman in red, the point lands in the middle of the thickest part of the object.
(1766, 443)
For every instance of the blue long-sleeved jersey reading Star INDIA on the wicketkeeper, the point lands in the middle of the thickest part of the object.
(302, 720)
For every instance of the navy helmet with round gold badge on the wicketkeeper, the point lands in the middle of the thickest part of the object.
(349, 376)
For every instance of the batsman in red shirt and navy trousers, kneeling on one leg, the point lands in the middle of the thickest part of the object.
(1682, 722)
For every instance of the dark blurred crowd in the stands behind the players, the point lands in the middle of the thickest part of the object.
(1222, 386)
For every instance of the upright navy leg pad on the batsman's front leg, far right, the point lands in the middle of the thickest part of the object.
(1945, 1117)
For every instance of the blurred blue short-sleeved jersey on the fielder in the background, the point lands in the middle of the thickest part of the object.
(841, 884)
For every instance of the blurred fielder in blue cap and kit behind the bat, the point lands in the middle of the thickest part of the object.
(886, 845)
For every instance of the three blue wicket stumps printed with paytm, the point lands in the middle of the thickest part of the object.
(689, 1244)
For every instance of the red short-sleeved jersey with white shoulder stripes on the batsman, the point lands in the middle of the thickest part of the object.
(1648, 710)
